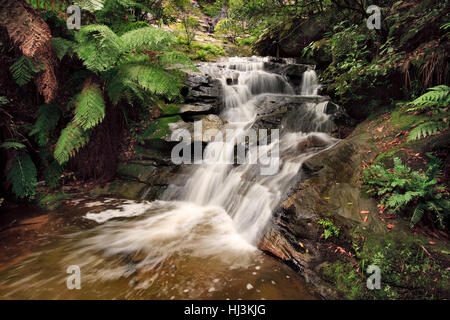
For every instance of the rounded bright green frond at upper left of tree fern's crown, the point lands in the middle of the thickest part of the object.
(99, 47)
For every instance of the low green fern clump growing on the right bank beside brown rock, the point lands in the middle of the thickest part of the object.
(401, 188)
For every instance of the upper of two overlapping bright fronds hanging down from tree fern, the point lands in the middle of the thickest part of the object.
(89, 106)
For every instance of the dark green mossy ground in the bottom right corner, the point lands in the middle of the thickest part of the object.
(407, 270)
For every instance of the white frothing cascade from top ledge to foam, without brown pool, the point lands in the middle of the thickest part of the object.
(223, 209)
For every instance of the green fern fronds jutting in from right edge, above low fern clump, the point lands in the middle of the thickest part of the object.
(435, 103)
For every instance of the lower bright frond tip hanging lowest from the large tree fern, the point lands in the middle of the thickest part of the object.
(70, 141)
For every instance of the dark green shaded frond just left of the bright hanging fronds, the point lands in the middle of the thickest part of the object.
(48, 118)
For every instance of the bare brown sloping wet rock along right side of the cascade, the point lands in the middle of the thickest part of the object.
(328, 187)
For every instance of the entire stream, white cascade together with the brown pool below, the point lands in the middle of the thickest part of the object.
(199, 241)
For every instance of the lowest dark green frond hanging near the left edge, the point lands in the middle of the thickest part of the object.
(23, 176)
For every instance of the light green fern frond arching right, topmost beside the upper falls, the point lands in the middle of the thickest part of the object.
(149, 38)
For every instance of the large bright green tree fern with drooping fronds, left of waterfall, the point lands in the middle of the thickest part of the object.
(138, 65)
